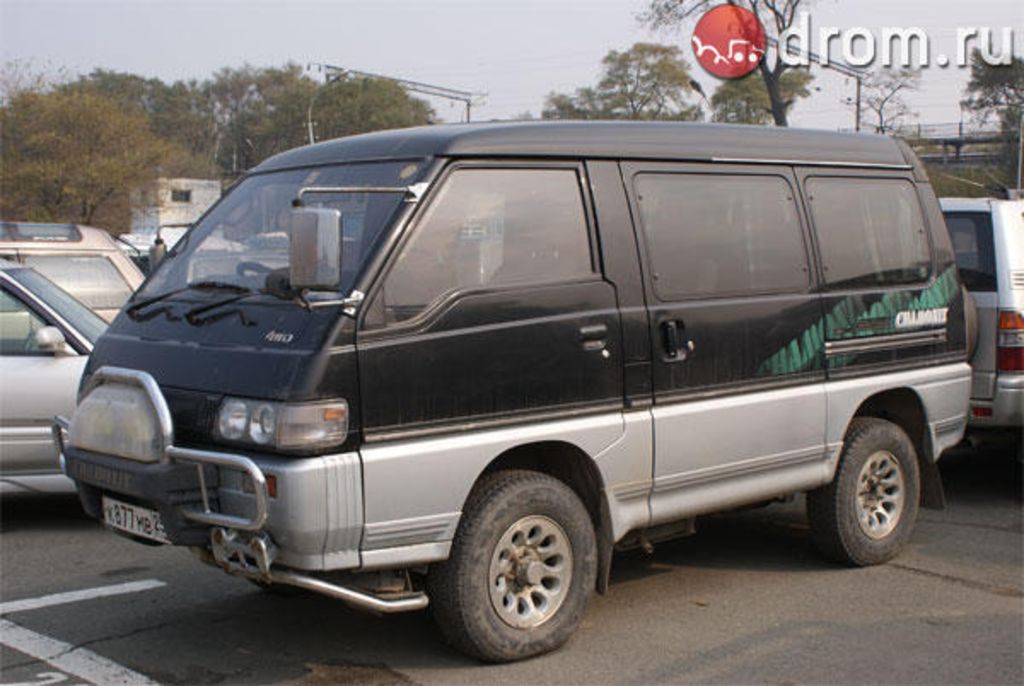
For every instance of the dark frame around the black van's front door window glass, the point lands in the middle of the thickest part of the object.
(442, 305)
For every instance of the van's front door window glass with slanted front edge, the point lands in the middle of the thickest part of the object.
(492, 228)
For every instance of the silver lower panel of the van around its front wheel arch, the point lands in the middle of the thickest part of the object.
(415, 490)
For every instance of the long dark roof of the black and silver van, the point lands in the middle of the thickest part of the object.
(653, 141)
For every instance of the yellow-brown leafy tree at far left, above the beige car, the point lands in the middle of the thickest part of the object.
(73, 157)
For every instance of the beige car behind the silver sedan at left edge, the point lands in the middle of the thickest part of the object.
(82, 261)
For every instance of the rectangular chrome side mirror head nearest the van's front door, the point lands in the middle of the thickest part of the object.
(316, 248)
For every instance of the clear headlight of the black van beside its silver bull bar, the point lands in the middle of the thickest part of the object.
(287, 427)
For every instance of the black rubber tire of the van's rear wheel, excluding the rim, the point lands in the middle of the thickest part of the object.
(834, 510)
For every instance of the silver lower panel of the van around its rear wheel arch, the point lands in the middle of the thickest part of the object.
(944, 392)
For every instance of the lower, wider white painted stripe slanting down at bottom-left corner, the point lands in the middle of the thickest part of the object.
(78, 662)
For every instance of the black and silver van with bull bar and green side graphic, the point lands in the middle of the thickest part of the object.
(460, 365)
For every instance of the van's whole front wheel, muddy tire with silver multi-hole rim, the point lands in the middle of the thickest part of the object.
(522, 569)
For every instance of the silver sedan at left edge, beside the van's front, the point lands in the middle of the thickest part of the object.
(46, 338)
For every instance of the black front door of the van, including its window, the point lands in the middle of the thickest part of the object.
(494, 311)
